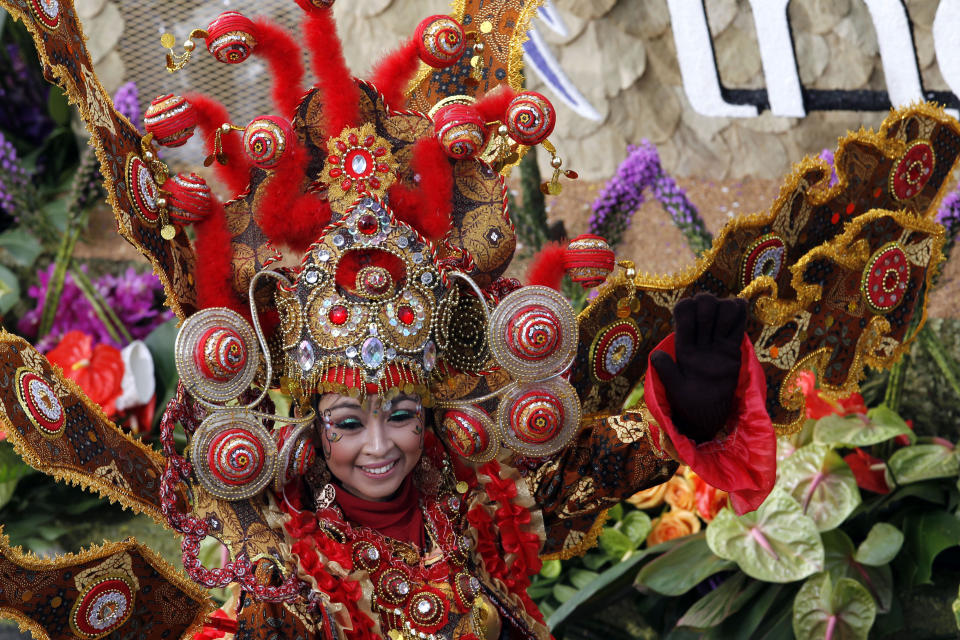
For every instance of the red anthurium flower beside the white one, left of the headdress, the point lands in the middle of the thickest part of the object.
(97, 369)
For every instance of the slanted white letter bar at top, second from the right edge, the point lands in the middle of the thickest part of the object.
(896, 51)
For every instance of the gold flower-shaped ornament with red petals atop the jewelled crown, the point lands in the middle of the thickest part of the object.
(359, 163)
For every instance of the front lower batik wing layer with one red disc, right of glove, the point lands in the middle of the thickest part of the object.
(860, 300)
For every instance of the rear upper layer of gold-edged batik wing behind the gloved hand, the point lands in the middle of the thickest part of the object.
(902, 167)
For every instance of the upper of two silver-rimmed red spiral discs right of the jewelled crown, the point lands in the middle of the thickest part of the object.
(533, 333)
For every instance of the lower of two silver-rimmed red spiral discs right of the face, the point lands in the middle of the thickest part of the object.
(538, 419)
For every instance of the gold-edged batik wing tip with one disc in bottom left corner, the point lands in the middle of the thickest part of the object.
(121, 590)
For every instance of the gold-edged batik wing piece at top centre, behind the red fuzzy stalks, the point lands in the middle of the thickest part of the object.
(502, 57)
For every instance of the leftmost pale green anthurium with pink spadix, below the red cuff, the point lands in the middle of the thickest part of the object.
(775, 543)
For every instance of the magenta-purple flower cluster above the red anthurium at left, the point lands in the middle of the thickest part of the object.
(135, 298)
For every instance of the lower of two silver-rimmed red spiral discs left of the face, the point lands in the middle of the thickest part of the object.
(234, 457)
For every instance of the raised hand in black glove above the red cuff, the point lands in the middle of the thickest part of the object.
(700, 385)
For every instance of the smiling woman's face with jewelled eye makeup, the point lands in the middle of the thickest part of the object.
(371, 448)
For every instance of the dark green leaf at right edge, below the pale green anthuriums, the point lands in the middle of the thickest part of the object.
(926, 534)
